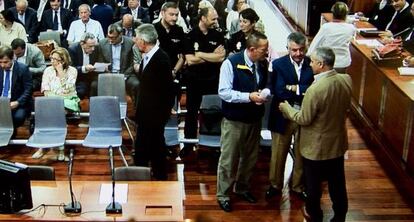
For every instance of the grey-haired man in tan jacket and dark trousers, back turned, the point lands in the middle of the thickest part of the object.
(323, 136)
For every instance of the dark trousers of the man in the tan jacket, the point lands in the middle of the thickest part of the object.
(333, 171)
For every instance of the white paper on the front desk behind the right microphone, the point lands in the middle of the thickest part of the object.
(121, 193)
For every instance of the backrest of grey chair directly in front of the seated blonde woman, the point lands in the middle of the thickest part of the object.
(49, 113)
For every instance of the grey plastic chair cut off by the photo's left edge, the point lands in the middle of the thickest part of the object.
(6, 123)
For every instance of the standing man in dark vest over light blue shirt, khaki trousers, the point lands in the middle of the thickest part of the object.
(242, 76)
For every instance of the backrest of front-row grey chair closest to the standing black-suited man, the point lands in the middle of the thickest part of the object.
(104, 113)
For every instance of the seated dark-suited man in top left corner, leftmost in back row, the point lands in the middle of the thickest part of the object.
(28, 17)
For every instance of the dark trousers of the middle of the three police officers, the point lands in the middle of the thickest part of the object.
(195, 91)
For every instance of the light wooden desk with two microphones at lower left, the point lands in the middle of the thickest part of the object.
(147, 201)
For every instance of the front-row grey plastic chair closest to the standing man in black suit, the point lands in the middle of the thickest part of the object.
(105, 129)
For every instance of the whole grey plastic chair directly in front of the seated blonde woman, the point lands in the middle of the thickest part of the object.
(50, 123)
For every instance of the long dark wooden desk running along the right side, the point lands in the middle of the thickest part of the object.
(384, 101)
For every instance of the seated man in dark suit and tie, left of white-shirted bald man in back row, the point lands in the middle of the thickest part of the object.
(60, 24)
